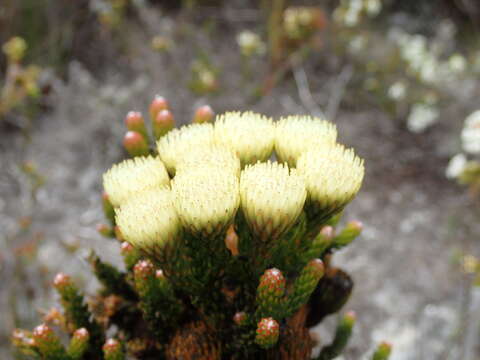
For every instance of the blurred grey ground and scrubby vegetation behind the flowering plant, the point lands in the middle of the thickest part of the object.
(399, 78)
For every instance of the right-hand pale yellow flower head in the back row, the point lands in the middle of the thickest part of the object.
(296, 134)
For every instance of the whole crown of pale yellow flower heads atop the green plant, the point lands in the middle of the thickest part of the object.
(204, 173)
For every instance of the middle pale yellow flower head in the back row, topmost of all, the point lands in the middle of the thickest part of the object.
(251, 136)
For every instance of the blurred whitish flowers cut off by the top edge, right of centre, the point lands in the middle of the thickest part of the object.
(350, 12)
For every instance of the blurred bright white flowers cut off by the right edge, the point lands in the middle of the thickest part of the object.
(470, 138)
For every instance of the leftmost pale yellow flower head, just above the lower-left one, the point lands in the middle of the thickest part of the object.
(132, 176)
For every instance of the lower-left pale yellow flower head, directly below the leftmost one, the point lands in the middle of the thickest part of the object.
(148, 220)
